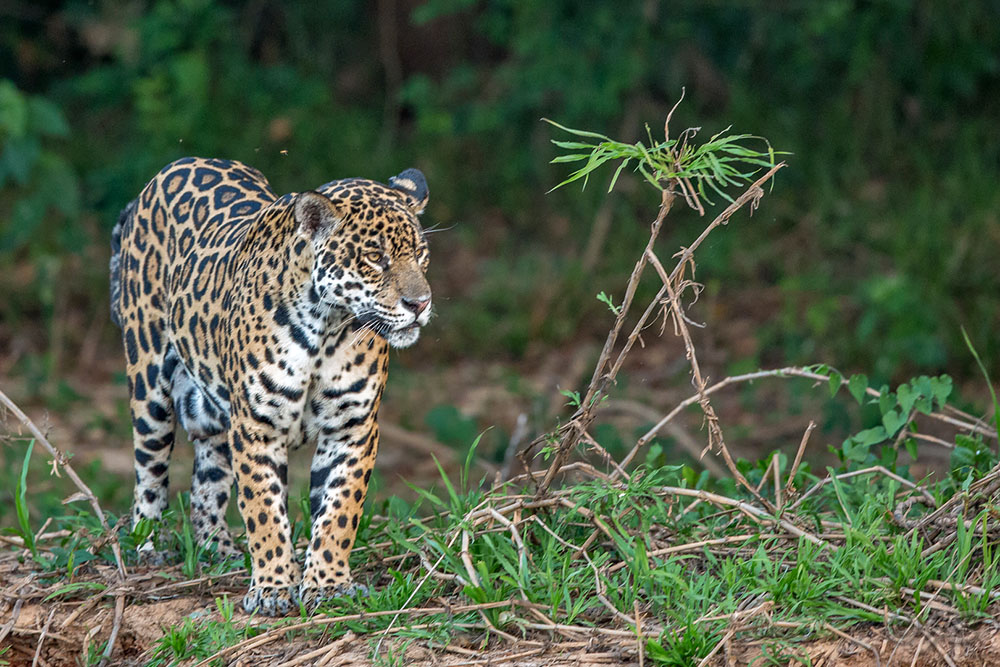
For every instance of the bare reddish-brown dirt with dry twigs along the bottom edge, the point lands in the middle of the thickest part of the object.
(58, 634)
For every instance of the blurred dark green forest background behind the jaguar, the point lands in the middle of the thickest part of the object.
(876, 245)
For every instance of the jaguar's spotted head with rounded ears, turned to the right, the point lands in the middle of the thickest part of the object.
(369, 251)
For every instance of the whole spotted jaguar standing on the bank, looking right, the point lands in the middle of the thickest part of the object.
(263, 323)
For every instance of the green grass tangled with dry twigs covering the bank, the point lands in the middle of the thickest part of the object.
(595, 553)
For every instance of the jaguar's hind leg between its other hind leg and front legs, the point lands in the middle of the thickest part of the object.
(210, 488)
